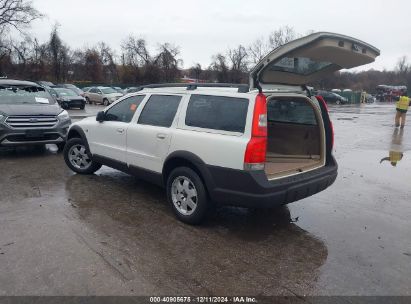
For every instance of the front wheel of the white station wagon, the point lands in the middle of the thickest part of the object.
(78, 158)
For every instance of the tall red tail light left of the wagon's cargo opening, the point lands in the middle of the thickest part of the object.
(255, 154)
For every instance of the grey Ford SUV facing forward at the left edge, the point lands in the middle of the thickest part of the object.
(29, 115)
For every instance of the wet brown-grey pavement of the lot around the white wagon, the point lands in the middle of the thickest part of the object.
(111, 234)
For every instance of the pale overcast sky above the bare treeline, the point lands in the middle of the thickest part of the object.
(202, 28)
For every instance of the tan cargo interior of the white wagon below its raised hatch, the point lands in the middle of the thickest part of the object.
(293, 147)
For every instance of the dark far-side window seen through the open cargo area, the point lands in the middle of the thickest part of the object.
(291, 111)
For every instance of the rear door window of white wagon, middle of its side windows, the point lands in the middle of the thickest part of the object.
(160, 110)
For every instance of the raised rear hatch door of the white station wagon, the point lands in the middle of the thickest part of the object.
(309, 58)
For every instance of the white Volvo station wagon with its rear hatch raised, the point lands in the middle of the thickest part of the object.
(260, 145)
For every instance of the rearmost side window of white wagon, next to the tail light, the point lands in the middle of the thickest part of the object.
(217, 112)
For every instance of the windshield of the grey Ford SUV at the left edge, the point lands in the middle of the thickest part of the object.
(11, 94)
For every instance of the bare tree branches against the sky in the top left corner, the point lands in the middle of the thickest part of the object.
(17, 14)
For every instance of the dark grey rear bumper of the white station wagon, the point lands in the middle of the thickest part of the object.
(252, 189)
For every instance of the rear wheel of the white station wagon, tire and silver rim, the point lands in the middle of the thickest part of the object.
(187, 195)
